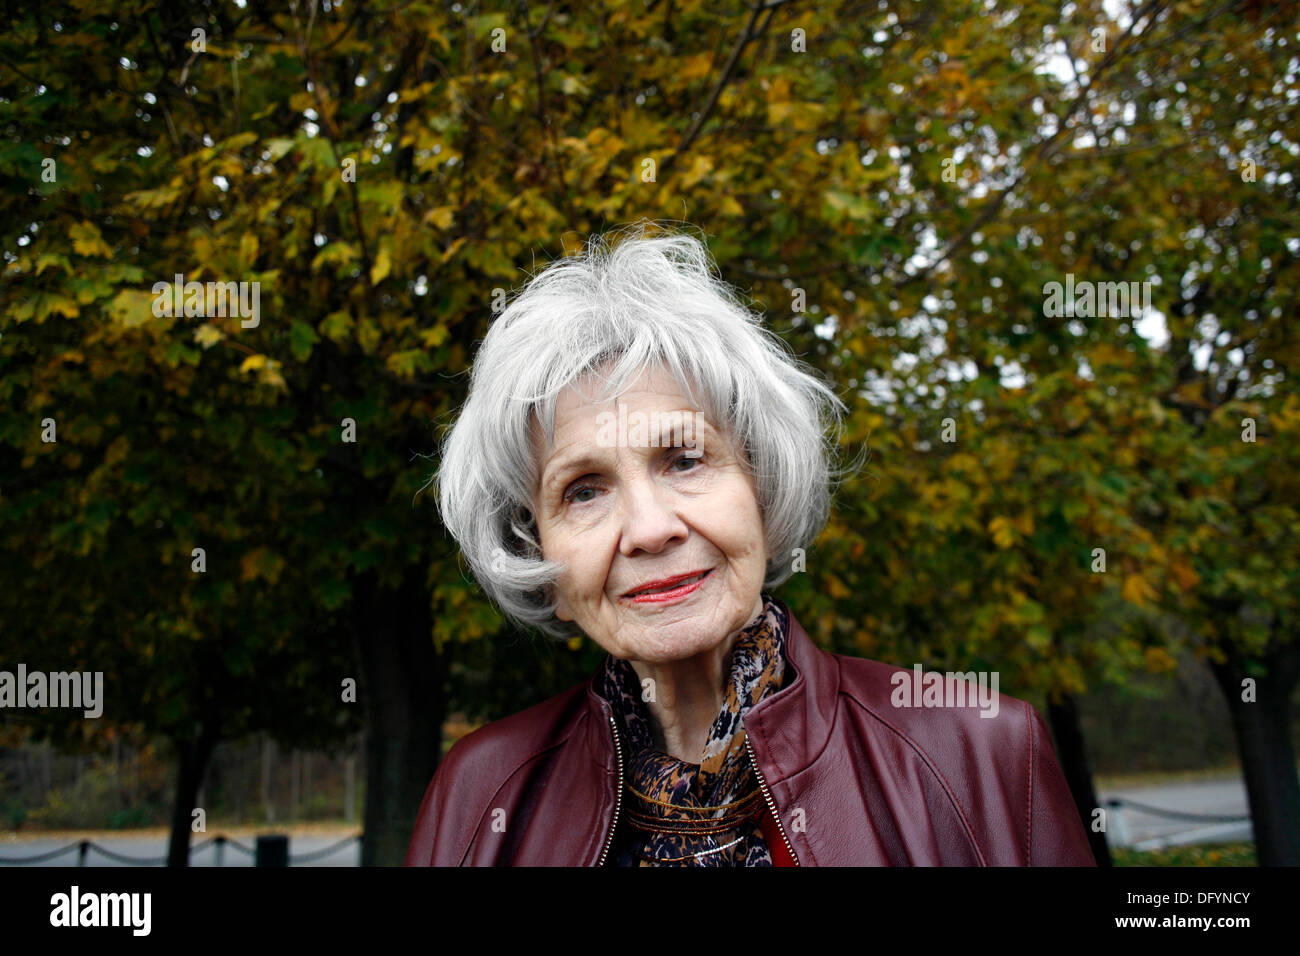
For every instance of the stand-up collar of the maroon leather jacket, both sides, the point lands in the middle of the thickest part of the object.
(787, 730)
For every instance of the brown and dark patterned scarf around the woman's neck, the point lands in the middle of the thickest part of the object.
(725, 784)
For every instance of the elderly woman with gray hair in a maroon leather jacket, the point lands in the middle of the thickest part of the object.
(636, 462)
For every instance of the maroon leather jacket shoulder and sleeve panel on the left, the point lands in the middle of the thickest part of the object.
(479, 767)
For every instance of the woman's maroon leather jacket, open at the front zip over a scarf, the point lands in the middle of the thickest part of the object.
(851, 778)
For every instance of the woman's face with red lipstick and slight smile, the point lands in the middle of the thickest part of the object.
(625, 514)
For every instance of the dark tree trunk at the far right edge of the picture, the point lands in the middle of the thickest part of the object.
(1263, 732)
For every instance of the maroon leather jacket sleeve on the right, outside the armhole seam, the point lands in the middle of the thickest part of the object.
(1056, 834)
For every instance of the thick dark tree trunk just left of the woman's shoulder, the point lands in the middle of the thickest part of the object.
(405, 708)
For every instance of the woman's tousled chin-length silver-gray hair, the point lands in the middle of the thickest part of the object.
(640, 301)
